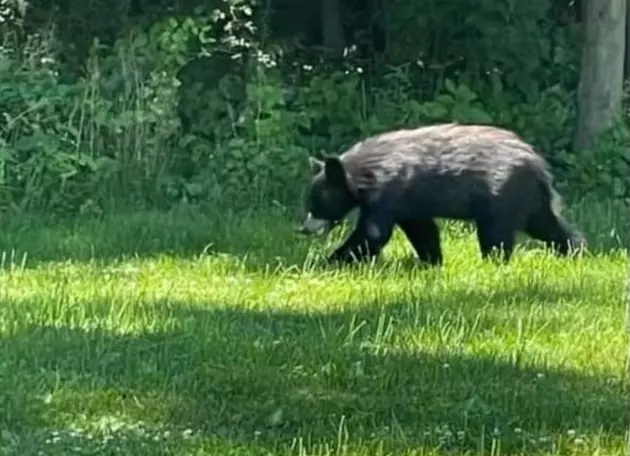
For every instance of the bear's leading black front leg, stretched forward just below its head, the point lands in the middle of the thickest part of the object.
(372, 232)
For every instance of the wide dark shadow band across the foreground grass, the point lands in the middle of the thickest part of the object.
(261, 378)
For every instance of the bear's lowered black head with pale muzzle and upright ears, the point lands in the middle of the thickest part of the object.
(329, 197)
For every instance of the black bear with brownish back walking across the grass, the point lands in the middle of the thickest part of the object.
(408, 177)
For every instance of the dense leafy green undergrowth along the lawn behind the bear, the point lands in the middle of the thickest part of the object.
(205, 102)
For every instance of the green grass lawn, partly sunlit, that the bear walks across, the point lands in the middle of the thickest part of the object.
(196, 332)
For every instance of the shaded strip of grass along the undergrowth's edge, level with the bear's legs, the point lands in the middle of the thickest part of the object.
(263, 235)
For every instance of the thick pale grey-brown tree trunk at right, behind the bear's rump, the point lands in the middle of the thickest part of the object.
(601, 74)
